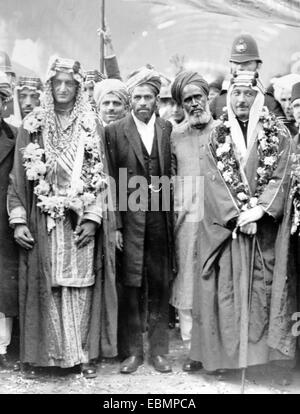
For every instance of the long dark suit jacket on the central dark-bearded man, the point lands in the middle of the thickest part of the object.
(124, 150)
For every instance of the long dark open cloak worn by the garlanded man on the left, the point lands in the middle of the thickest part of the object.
(35, 282)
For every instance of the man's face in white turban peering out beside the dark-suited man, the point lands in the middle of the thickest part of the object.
(112, 100)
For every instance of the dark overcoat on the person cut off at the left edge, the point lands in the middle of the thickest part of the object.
(8, 248)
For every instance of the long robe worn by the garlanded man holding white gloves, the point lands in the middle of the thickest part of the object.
(218, 304)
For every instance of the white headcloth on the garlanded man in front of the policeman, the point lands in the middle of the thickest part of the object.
(250, 79)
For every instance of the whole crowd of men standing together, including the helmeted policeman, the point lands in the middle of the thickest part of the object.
(119, 199)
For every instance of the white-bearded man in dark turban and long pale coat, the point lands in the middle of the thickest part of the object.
(188, 140)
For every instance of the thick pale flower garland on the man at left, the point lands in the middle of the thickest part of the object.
(92, 176)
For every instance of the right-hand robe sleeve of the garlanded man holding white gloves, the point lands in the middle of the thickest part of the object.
(273, 197)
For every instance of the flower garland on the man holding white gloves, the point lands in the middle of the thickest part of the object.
(229, 166)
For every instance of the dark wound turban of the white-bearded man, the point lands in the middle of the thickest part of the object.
(185, 78)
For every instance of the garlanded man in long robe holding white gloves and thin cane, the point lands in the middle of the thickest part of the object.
(247, 167)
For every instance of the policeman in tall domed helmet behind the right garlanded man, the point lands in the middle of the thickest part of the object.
(245, 56)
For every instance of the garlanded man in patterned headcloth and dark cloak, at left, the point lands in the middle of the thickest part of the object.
(55, 207)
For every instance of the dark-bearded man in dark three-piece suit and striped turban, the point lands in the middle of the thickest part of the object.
(139, 154)
